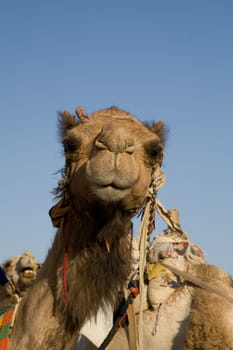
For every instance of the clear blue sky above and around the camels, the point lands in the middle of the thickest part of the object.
(168, 60)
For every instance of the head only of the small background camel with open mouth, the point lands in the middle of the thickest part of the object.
(22, 270)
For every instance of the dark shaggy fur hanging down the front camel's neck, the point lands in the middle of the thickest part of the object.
(100, 273)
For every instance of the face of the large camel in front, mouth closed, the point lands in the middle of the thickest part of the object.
(110, 155)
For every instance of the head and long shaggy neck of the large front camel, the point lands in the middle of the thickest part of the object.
(110, 157)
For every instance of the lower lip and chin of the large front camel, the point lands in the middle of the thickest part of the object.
(111, 194)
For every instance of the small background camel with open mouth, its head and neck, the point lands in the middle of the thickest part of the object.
(21, 272)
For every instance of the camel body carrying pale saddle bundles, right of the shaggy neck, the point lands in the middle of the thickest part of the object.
(177, 314)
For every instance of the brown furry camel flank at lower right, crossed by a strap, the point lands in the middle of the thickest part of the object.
(211, 317)
